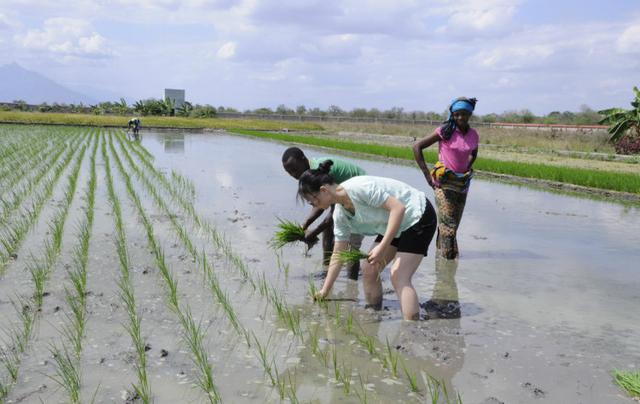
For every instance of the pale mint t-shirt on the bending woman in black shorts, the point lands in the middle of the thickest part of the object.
(368, 193)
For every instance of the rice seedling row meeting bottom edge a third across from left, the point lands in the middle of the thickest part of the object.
(193, 333)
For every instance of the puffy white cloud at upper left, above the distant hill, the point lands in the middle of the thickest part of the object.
(66, 37)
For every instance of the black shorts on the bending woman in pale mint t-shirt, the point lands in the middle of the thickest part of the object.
(416, 239)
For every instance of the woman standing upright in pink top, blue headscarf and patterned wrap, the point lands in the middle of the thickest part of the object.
(451, 176)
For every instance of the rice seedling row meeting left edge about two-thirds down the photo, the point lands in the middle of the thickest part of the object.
(12, 236)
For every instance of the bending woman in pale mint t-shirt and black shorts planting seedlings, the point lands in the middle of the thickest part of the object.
(401, 216)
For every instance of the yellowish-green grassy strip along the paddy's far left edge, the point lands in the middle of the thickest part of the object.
(150, 121)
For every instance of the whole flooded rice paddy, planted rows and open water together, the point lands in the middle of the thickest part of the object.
(184, 301)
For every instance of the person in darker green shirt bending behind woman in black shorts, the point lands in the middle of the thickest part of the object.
(295, 163)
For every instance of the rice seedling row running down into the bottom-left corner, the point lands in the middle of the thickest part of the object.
(40, 269)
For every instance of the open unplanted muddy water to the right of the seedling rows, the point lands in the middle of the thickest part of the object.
(547, 283)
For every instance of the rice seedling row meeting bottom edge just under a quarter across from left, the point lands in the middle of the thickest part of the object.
(127, 295)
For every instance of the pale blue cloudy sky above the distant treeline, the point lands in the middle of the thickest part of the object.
(540, 55)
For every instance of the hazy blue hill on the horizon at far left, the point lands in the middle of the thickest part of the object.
(18, 83)
